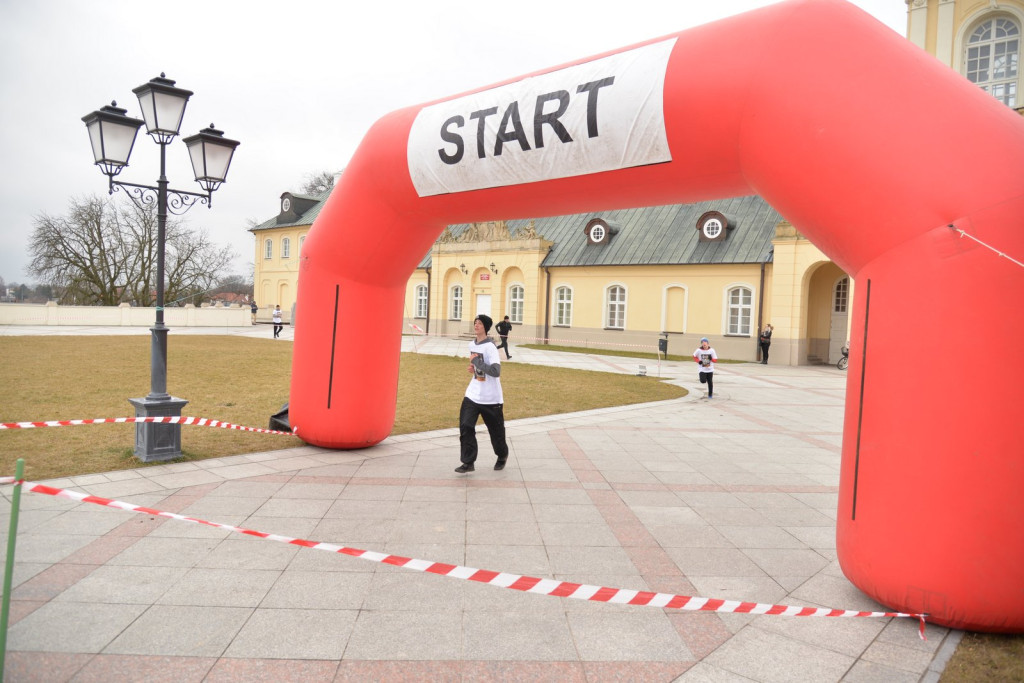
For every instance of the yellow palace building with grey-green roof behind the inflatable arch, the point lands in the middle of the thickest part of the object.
(626, 279)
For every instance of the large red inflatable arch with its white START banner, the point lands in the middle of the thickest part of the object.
(866, 143)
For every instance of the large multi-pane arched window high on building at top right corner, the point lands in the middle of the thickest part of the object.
(992, 57)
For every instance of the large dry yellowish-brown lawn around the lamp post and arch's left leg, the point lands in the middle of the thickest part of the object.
(242, 381)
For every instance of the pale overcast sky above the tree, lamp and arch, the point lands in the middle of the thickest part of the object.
(298, 83)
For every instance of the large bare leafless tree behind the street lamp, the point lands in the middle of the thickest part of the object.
(105, 254)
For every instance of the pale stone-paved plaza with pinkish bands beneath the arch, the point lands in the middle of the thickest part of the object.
(731, 498)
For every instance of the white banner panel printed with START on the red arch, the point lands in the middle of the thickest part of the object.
(600, 116)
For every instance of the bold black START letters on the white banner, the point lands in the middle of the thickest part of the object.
(548, 111)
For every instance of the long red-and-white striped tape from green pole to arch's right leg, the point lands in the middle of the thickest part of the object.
(551, 587)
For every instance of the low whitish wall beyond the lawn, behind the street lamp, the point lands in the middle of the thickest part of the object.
(124, 316)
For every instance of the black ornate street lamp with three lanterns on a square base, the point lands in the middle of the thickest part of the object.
(113, 137)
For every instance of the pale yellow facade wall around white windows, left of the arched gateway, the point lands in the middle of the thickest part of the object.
(685, 304)
